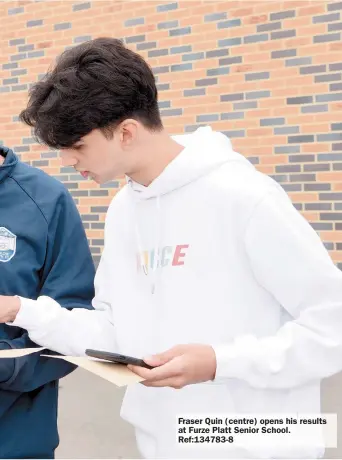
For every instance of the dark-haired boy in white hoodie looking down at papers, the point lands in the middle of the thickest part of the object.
(200, 250)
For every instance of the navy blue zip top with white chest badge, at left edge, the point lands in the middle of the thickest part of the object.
(43, 251)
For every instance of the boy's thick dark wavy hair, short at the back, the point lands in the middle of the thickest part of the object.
(96, 84)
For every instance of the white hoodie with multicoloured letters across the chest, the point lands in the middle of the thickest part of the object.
(238, 267)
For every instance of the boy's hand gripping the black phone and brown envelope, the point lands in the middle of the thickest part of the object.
(180, 366)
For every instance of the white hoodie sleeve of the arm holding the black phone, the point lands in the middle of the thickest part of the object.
(289, 260)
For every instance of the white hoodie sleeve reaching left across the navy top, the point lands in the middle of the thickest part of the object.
(71, 332)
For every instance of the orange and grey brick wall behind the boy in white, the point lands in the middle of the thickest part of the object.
(267, 73)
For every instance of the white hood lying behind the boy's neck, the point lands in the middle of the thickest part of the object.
(204, 150)
